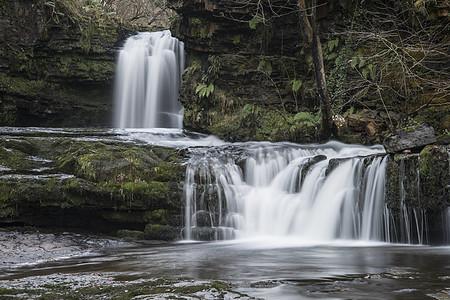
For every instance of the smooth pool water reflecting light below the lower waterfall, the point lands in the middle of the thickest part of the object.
(343, 270)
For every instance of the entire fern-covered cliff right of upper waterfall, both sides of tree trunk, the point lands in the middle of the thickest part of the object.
(251, 78)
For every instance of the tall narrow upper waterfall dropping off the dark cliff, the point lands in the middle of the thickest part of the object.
(148, 78)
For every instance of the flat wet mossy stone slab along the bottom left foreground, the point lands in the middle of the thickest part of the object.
(105, 286)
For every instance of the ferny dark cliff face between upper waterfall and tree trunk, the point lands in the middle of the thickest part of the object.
(243, 70)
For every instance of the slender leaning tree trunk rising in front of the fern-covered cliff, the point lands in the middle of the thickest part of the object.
(312, 40)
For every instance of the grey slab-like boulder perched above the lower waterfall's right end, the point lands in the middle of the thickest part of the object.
(413, 138)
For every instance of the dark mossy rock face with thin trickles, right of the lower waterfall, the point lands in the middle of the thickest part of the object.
(416, 184)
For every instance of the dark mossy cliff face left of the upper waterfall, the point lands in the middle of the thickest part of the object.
(56, 64)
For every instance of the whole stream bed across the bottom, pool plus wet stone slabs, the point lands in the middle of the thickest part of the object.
(265, 268)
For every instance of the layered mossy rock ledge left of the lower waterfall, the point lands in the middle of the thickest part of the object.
(98, 186)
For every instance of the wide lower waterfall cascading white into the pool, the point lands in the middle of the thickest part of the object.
(313, 193)
